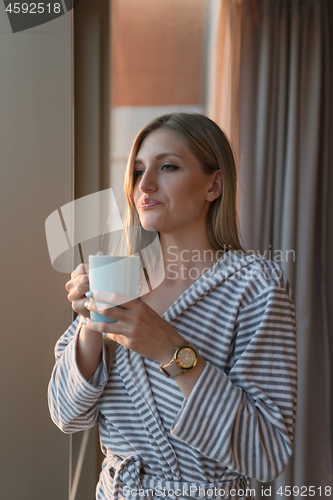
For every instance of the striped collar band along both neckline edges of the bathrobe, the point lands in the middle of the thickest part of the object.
(133, 373)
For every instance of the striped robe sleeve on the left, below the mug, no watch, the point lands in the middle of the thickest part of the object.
(72, 399)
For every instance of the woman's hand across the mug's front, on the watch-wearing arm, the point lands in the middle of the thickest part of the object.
(138, 328)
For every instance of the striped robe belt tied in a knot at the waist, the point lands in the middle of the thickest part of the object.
(128, 478)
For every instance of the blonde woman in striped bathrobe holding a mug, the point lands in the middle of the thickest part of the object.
(195, 421)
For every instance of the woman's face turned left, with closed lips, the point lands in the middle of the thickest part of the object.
(171, 192)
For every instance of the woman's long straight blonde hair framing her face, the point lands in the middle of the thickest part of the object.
(213, 150)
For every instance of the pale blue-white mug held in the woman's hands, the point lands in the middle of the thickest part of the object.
(113, 274)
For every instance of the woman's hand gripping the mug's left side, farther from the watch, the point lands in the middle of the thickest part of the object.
(77, 287)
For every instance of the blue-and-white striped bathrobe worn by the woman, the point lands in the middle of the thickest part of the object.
(239, 419)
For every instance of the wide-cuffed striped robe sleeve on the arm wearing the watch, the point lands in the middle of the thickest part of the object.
(245, 419)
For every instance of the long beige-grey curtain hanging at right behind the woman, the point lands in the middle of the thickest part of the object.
(273, 74)
